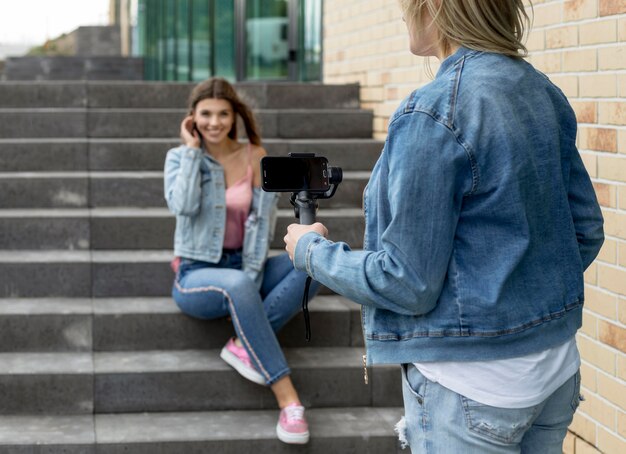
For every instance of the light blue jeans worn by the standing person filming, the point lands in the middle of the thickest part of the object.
(440, 421)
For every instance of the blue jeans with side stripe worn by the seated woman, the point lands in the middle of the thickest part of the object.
(208, 291)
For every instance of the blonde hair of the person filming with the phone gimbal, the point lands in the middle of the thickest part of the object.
(485, 25)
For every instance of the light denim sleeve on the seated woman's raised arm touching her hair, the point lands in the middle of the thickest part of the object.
(182, 180)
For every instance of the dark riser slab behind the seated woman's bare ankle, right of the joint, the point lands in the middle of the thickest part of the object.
(214, 391)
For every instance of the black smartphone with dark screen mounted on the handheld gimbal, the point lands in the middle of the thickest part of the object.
(287, 174)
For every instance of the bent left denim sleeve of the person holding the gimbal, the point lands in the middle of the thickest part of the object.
(423, 174)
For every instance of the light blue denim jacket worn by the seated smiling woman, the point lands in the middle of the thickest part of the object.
(196, 193)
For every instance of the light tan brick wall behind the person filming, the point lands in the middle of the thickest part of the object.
(581, 46)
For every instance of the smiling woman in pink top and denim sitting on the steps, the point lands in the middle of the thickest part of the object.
(224, 223)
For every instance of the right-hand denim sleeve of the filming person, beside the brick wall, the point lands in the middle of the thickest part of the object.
(586, 213)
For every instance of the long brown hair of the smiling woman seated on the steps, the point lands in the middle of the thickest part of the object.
(218, 88)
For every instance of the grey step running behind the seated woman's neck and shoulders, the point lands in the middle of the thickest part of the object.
(148, 154)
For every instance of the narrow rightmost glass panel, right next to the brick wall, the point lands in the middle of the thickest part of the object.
(311, 40)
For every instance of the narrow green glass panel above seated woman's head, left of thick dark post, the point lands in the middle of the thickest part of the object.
(224, 24)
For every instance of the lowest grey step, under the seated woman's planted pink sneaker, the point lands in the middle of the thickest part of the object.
(333, 431)
